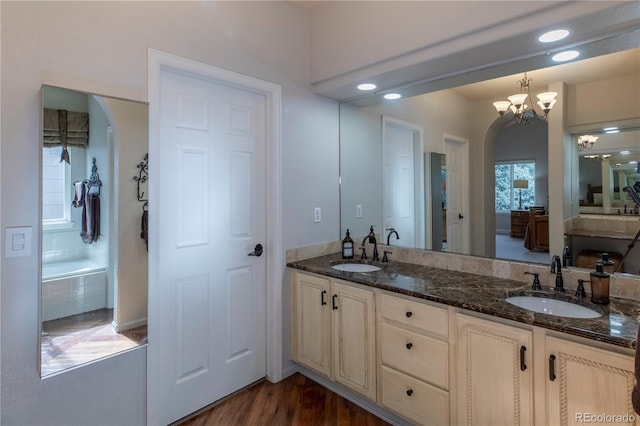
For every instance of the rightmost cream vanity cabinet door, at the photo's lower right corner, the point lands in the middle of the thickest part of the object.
(587, 383)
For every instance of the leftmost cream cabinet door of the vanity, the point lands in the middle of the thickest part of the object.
(311, 322)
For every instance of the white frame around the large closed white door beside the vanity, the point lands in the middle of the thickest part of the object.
(158, 61)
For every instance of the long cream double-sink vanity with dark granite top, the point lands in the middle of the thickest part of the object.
(438, 346)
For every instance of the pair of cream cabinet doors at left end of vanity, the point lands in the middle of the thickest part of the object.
(333, 331)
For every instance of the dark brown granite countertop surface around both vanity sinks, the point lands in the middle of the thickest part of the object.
(618, 325)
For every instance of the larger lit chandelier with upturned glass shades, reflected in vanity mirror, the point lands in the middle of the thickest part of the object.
(523, 112)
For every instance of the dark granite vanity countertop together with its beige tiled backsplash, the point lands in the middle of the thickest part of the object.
(481, 285)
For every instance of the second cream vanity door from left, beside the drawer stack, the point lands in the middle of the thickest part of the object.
(354, 338)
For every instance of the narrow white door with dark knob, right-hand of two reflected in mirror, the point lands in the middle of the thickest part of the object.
(457, 198)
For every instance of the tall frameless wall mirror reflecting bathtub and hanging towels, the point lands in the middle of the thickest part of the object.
(93, 294)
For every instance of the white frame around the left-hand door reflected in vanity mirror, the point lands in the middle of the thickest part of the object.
(418, 176)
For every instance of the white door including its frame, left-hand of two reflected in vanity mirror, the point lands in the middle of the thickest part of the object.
(399, 181)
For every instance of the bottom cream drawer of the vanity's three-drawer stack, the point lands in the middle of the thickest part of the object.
(417, 401)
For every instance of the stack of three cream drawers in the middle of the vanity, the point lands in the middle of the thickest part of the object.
(414, 359)
